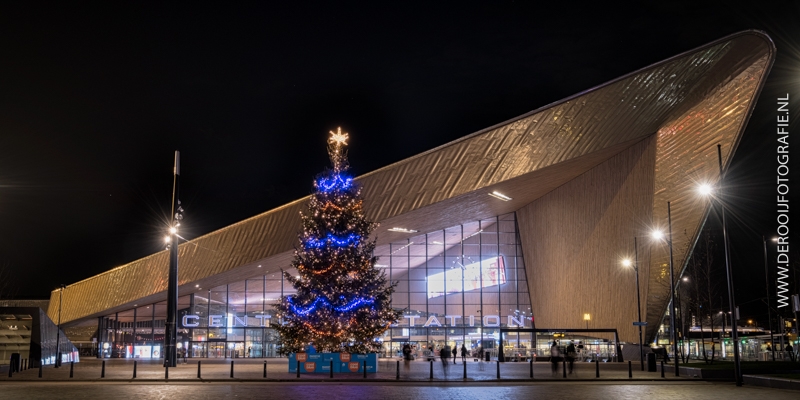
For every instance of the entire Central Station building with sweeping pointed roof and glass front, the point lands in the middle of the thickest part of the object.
(523, 224)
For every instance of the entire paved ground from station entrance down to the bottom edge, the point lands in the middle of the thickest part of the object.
(414, 383)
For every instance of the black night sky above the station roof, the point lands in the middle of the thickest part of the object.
(95, 98)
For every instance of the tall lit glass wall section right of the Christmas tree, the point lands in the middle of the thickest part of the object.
(459, 285)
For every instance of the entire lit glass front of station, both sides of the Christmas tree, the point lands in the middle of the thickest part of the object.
(458, 285)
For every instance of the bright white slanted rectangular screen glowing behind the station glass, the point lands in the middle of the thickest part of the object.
(489, 272)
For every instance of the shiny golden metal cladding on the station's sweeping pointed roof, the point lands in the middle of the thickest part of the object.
(689, 102)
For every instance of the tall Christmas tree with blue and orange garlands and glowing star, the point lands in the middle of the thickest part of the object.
(342, 301)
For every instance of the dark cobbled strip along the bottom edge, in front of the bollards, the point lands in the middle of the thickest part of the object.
(696, 390)
